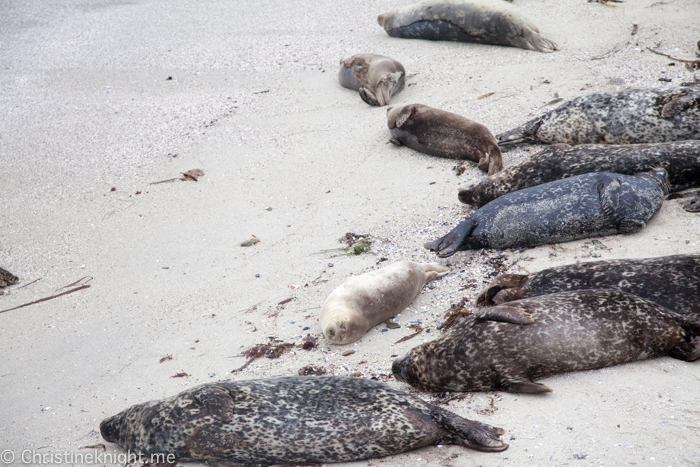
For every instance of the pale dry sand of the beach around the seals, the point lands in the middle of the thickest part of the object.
(255, 103)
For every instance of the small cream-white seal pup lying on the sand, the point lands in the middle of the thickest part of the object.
(368, 299)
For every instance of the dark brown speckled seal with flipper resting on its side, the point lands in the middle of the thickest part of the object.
(507, 347)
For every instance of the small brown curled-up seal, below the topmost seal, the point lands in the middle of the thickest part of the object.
(376, 77)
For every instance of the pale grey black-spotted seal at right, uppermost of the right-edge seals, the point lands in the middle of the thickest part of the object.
(631, 116)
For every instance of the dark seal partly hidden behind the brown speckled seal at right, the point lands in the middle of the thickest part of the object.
(679, 274)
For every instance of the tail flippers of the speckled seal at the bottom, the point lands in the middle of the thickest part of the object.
(469, 433)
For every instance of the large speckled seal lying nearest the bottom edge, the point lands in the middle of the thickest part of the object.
(292, 420)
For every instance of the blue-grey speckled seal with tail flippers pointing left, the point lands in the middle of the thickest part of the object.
(590, 205)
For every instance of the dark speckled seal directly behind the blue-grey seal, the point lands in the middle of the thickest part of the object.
(680, 159)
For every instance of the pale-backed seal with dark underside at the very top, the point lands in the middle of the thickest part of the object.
(482, 21)
